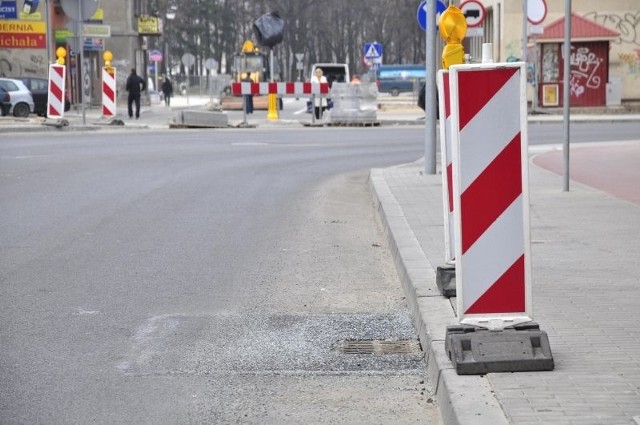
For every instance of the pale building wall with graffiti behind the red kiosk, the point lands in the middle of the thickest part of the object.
(503, 27)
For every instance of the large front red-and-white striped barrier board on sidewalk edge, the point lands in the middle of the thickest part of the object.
(491, 203)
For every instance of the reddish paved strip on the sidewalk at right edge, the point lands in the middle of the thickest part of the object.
(613, 169)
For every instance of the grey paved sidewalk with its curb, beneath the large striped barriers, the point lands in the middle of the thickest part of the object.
(586, 291)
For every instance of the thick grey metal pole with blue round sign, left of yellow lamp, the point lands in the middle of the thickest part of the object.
(430, 91)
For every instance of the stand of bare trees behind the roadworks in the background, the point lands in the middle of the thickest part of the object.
(325, 31)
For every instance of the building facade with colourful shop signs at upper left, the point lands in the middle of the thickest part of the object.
(31, 32)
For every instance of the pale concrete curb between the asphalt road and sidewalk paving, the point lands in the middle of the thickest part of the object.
(462, 399)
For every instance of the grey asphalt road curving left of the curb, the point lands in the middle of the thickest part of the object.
(203, 277)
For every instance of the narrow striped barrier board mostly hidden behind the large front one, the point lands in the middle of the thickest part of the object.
(446, 163)
